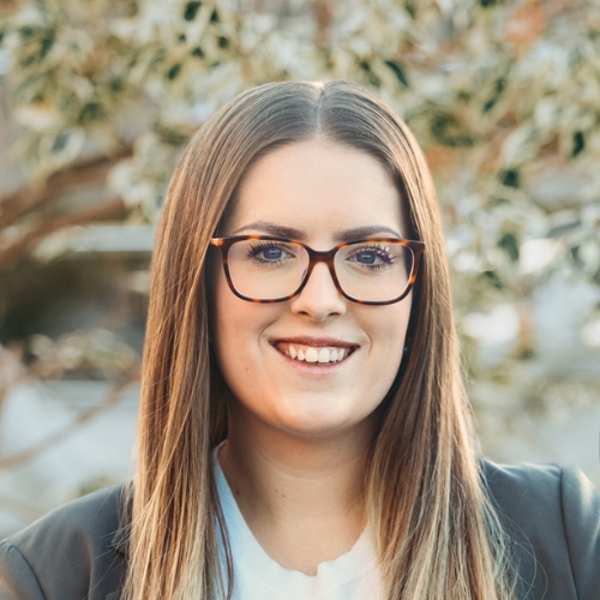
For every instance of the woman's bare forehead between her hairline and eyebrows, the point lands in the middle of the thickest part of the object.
(319, 189)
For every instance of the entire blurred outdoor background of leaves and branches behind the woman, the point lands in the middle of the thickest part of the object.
(97, 100)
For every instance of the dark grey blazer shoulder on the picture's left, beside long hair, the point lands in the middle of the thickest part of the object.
(72, 552)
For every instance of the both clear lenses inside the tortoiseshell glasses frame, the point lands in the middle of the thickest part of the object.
(366, 271)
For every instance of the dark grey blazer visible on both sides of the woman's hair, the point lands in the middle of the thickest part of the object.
(77, 552)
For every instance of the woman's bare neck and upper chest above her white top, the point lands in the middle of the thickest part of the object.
(293, 491)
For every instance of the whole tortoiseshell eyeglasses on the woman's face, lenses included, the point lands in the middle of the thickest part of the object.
(271, 269)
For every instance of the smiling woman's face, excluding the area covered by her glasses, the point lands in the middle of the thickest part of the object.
(320, 194)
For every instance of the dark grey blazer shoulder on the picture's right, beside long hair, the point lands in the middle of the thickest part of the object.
(553, 515)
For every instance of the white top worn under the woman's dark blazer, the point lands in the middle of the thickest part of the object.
(352, 576)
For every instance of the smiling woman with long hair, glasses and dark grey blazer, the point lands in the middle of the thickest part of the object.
(304, 431)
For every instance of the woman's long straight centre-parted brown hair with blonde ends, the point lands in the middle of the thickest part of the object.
(436, 531)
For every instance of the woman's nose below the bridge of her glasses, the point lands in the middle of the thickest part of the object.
(319, 299)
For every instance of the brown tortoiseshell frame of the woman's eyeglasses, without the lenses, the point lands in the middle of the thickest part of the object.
(326, 256)
